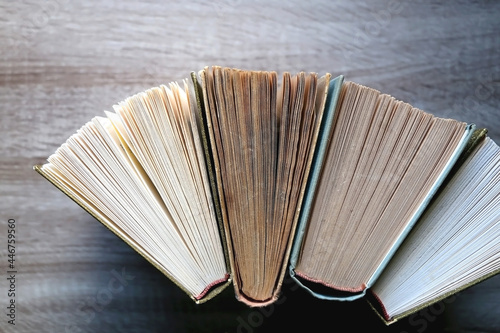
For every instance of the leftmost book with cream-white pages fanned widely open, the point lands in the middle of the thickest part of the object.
(141, 171)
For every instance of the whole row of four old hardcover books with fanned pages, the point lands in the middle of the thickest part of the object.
(238, 177)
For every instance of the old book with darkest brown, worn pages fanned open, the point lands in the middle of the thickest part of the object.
(262, 139)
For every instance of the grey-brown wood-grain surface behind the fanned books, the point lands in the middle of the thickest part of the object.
(63, 62)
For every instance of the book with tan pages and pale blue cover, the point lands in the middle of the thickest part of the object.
(384, 162)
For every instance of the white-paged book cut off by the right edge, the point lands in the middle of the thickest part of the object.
(454, 245)
